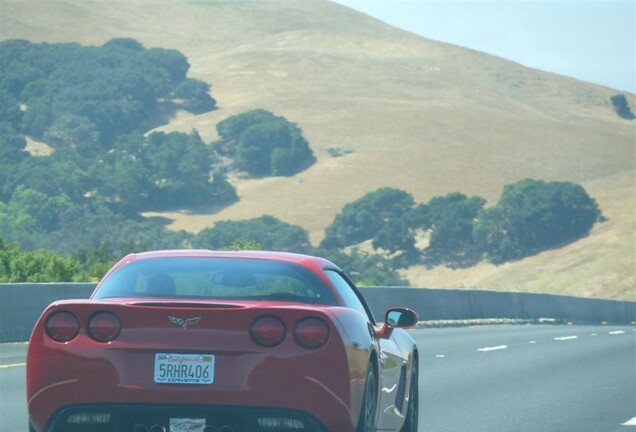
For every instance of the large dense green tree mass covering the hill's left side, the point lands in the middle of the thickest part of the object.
(94, 107)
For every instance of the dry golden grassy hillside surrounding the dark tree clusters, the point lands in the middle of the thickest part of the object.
(414, 114)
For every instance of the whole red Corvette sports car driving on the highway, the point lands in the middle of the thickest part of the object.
(176, 341)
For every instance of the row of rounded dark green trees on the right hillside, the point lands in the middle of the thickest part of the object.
(531, 216)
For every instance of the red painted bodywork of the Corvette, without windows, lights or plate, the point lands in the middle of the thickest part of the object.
(326, 383)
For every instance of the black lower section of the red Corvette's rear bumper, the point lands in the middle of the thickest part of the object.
(178, 418)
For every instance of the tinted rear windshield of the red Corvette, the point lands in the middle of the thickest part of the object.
(216, 278)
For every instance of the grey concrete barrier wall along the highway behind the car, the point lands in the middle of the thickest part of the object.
(22, 304)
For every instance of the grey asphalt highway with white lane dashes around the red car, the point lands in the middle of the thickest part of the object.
(482, 379)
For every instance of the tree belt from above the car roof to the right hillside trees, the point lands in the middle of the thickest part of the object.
(531, 216)
